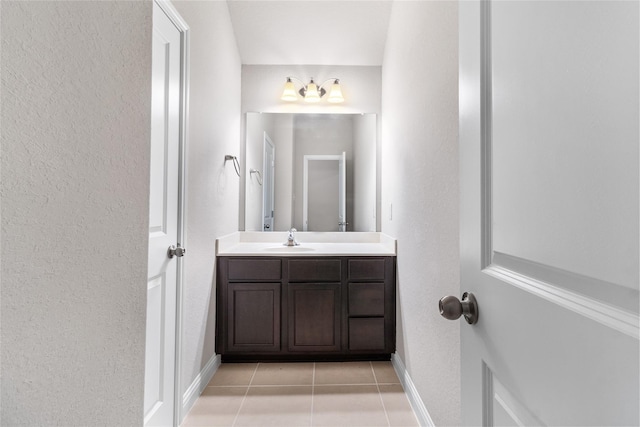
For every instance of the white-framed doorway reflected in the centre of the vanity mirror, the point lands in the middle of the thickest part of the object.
(324, 193)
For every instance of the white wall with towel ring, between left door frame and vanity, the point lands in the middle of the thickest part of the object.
(212, 184)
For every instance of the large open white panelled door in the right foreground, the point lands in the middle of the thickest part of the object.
(549, 212)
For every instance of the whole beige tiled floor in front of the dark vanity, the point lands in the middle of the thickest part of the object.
(303, 394)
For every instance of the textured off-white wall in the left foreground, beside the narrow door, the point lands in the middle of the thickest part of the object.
(76, 94)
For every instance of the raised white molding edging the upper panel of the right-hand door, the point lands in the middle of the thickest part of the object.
(587, 296)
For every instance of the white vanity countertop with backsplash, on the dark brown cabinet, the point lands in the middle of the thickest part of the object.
(311, 244)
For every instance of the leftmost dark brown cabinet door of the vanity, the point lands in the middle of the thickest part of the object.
(254, 317)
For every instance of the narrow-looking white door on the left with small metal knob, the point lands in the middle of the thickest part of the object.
(164, 227)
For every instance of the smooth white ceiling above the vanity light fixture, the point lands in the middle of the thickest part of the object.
(322, 32)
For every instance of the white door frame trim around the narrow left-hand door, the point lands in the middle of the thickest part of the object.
(184, 30)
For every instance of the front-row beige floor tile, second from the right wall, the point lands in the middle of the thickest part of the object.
(342, 405)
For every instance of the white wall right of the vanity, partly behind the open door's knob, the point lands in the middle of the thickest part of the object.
(420, 180)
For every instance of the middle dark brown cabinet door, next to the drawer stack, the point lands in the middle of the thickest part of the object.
(314, 316)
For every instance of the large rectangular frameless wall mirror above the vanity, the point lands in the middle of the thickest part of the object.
(312, 172)
